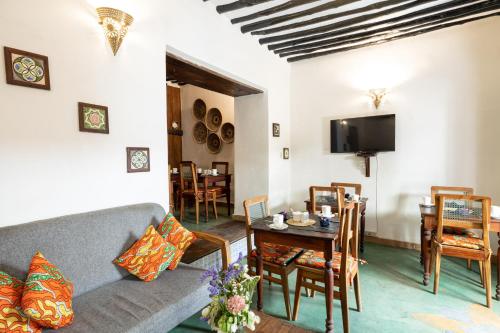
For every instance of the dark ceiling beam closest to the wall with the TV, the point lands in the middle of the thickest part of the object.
(382, 41)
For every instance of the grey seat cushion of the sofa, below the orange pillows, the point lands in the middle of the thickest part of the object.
(131, 306)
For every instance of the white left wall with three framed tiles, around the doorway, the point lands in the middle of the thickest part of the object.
(49, 168)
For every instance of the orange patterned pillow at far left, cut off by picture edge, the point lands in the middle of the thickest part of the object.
(12, 317)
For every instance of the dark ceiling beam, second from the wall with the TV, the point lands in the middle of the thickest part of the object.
(419, 23)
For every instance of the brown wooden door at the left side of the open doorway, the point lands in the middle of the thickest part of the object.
(174, 135)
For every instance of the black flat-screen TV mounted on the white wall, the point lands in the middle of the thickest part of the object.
(367, 134)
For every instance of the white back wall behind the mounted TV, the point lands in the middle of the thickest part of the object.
(444, 91)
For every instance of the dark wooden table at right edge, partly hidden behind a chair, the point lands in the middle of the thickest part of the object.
(429, 224)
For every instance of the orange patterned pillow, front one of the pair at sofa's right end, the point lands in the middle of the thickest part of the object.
(148, 257)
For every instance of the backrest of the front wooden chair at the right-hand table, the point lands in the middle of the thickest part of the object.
(464, 212)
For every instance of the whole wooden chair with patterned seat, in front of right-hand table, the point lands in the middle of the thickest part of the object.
(463, 212)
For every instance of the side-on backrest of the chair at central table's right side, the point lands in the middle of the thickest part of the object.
(349, 235)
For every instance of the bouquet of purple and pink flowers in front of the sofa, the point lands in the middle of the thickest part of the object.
(231, 292)
